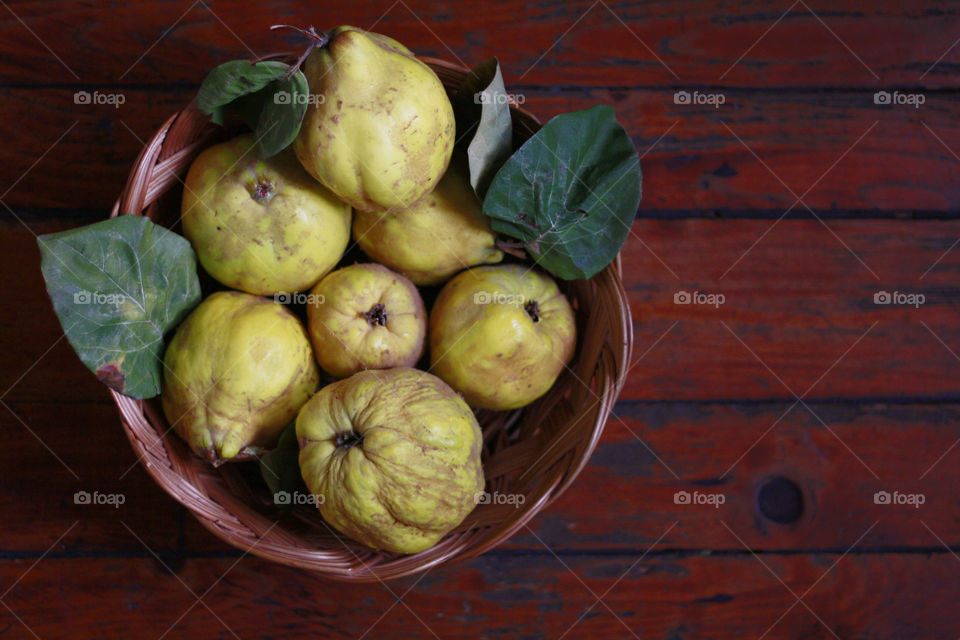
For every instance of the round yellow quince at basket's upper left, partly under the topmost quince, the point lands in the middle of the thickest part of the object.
(261, 225)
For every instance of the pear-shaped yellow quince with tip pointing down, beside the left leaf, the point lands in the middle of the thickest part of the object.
(235, 374)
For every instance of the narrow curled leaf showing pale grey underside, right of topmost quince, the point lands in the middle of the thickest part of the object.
(481, 105)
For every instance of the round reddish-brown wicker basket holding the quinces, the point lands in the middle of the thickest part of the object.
(536, 452)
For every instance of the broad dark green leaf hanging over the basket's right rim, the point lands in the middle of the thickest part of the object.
(570, 193)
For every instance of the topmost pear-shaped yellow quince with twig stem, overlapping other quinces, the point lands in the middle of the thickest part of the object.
(381, 130)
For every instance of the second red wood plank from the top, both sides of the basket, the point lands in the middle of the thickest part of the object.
(855, 158)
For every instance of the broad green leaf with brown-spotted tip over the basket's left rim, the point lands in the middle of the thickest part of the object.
(117, 287)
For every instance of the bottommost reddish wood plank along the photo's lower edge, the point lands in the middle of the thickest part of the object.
(725, 597)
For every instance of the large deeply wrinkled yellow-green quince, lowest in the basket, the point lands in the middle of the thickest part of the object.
(393, 457)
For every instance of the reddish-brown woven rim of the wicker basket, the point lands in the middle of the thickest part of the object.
(189, 481)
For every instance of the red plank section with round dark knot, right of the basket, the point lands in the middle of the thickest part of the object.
(836, 455)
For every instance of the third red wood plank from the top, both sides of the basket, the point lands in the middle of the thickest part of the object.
(799, 303)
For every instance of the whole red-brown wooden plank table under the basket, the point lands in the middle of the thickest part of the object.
(779, 179)
